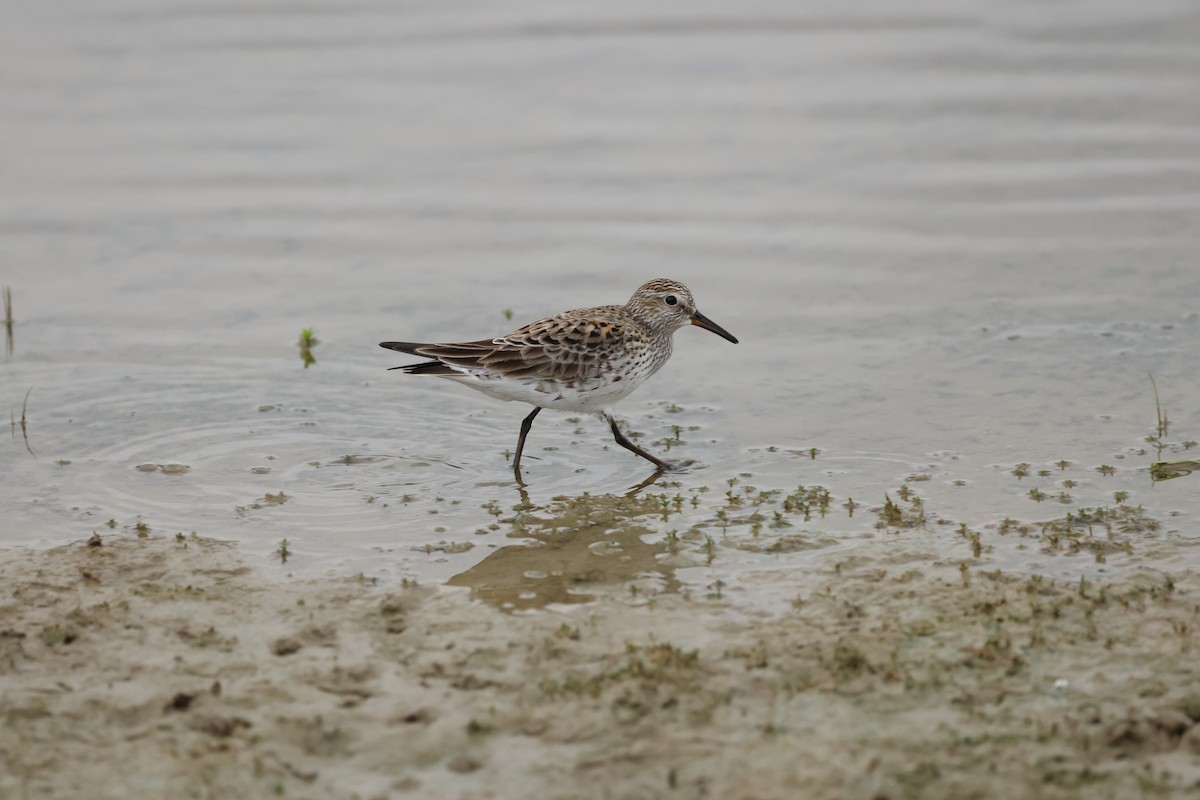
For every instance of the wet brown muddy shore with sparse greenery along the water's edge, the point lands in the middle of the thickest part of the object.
(147, 667)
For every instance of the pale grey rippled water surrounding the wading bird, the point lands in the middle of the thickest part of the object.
(952, 237)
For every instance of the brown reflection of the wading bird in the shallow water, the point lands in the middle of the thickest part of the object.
(572, 550)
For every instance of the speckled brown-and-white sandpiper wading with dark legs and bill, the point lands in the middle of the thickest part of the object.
(583, 360)
